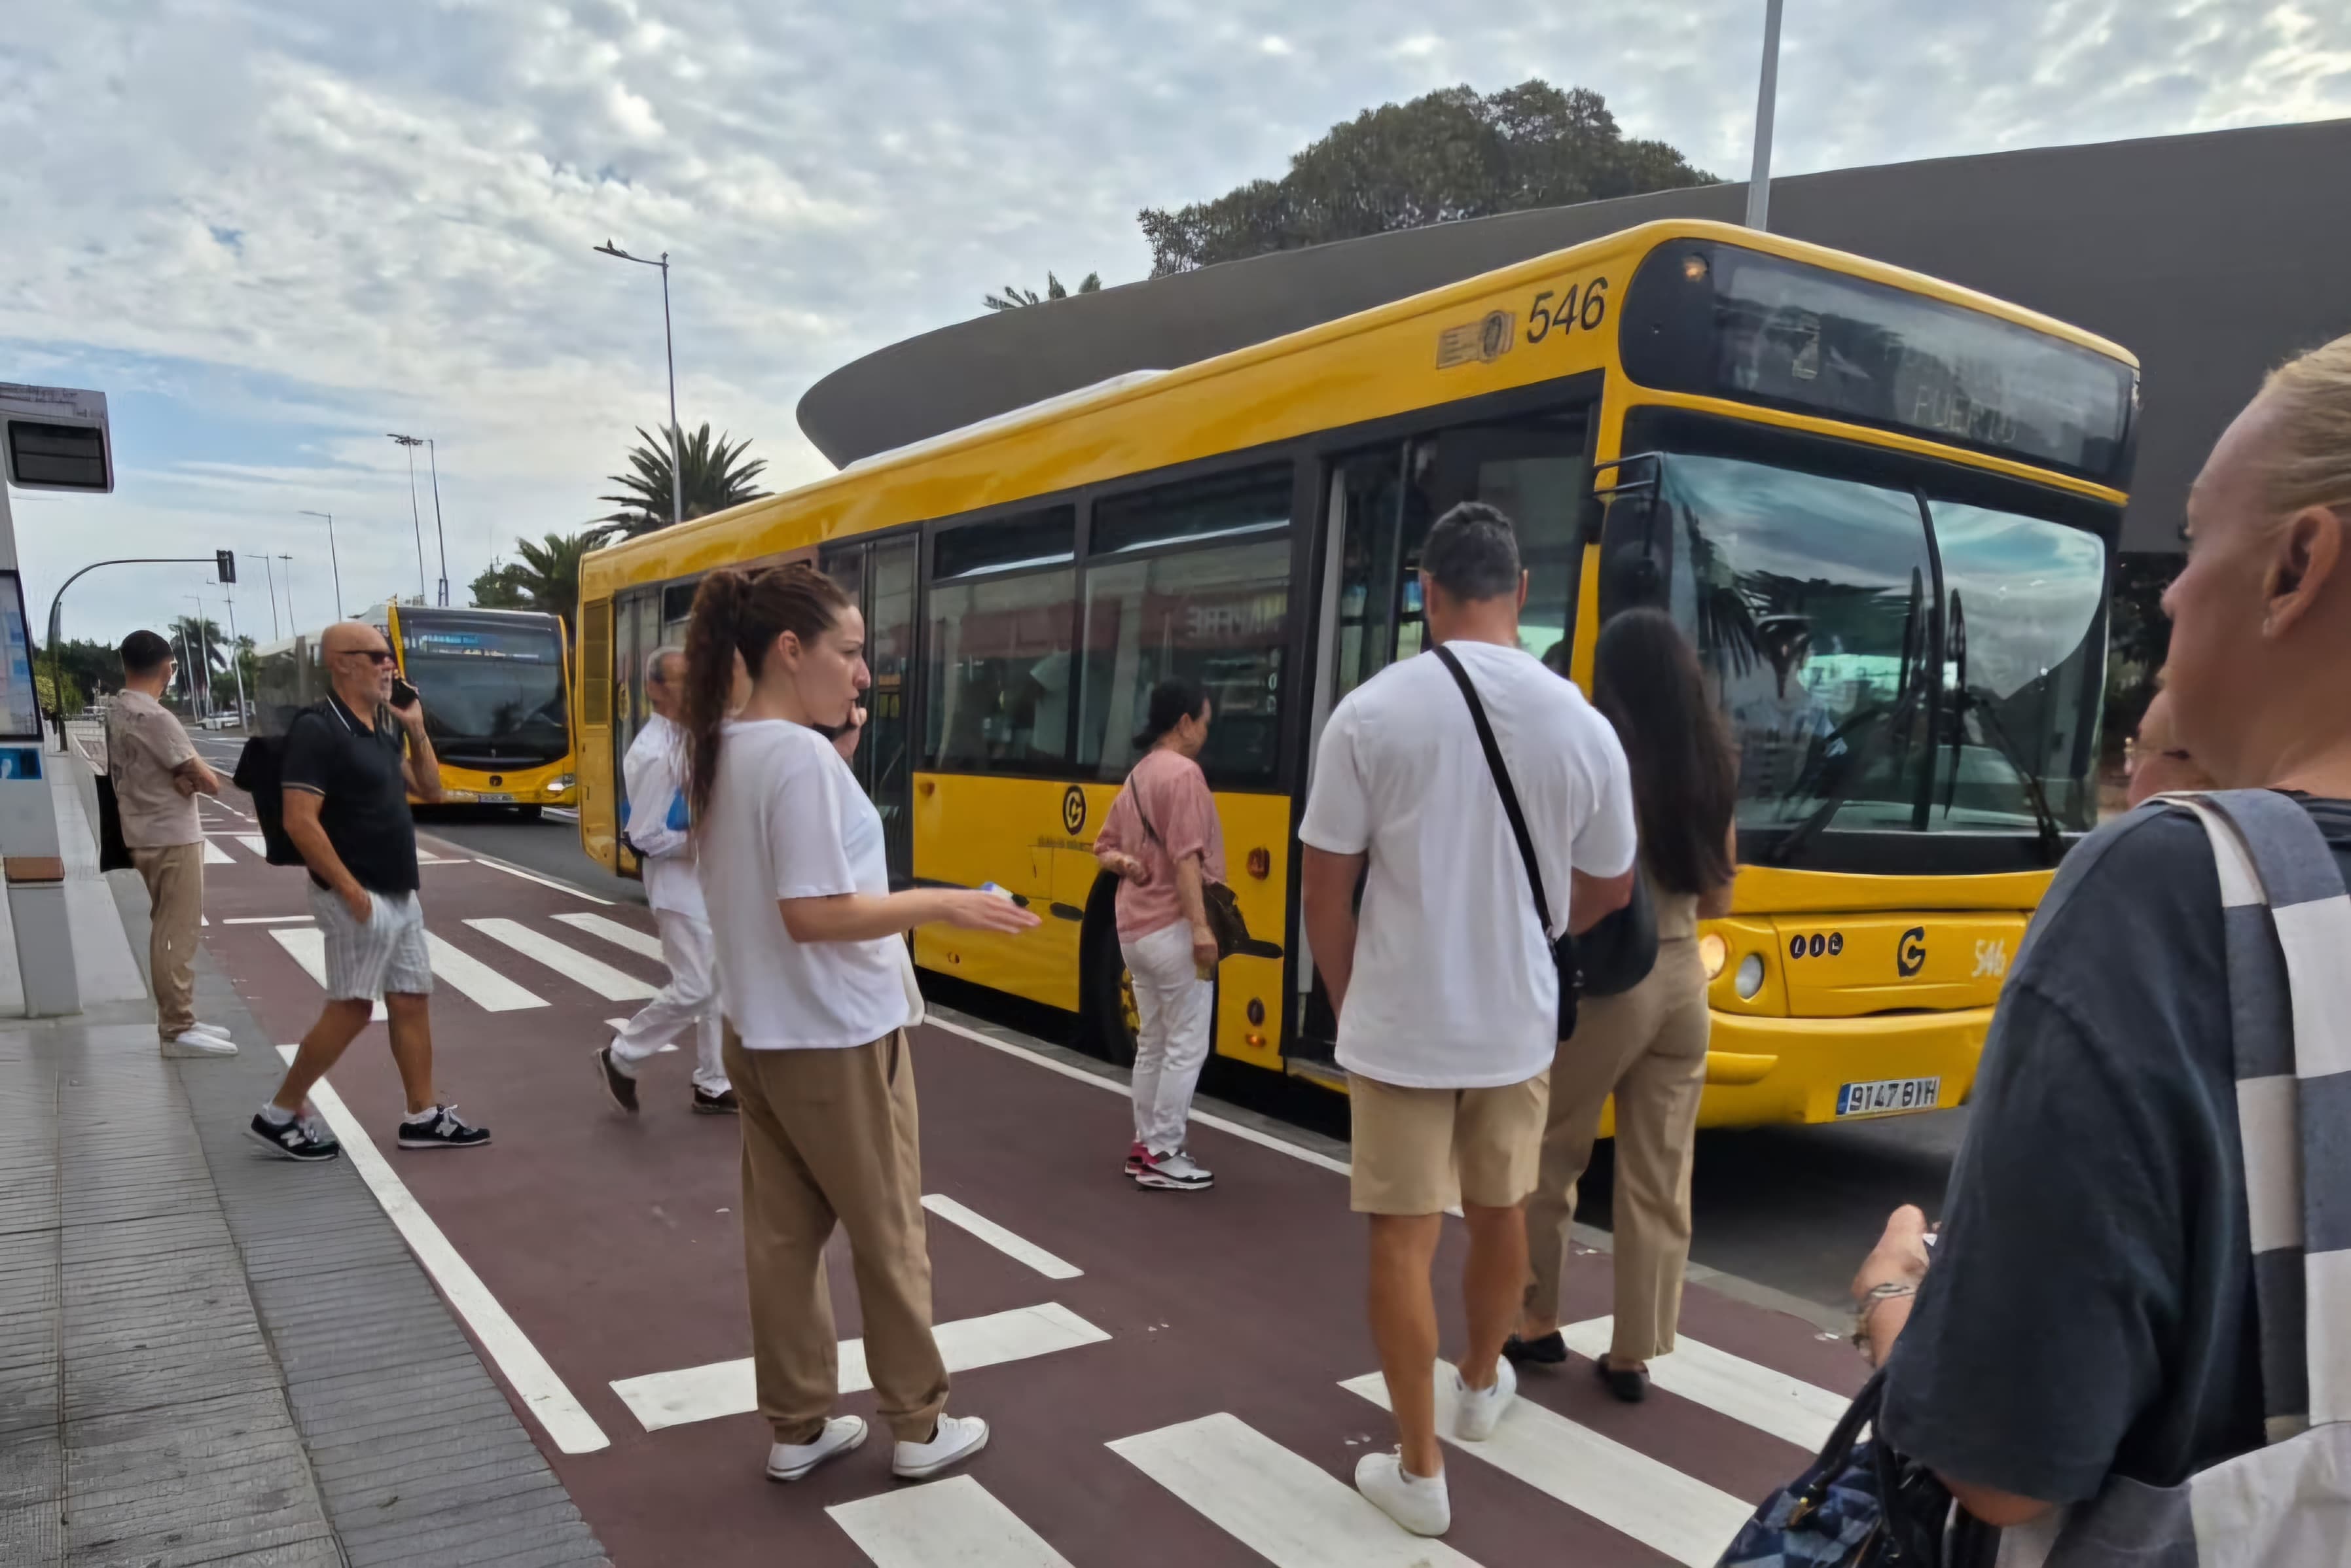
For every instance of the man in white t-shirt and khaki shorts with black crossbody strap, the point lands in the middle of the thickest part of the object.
(1445, 986)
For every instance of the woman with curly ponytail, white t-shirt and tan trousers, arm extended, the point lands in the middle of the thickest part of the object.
(812, 958)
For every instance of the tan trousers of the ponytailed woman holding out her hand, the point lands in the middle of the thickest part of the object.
(833, 1139)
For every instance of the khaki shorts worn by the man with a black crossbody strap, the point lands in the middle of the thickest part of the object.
(1426, 1151)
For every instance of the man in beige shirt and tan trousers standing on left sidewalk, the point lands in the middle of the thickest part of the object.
(159, 777)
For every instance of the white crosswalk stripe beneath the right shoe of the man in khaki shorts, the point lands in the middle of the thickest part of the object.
(1595, 1475)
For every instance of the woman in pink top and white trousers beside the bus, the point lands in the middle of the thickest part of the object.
(1160, 840)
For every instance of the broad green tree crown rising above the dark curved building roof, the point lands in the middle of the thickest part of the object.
(1445, 156)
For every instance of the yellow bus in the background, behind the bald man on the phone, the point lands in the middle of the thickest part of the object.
(497, 692)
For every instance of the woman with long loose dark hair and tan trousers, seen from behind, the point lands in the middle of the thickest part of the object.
(1649, 1045)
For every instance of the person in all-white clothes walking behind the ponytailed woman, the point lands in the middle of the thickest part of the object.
(657, 831)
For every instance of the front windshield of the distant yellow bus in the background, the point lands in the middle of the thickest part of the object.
(493, 688)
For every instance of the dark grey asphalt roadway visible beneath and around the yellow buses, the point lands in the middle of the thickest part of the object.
(1788, 1207)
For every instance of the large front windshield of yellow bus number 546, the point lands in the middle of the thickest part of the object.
(1814, 605)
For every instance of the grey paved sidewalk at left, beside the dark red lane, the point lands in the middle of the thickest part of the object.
(210, 1355)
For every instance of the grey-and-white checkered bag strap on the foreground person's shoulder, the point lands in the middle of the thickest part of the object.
(2286, 925)
